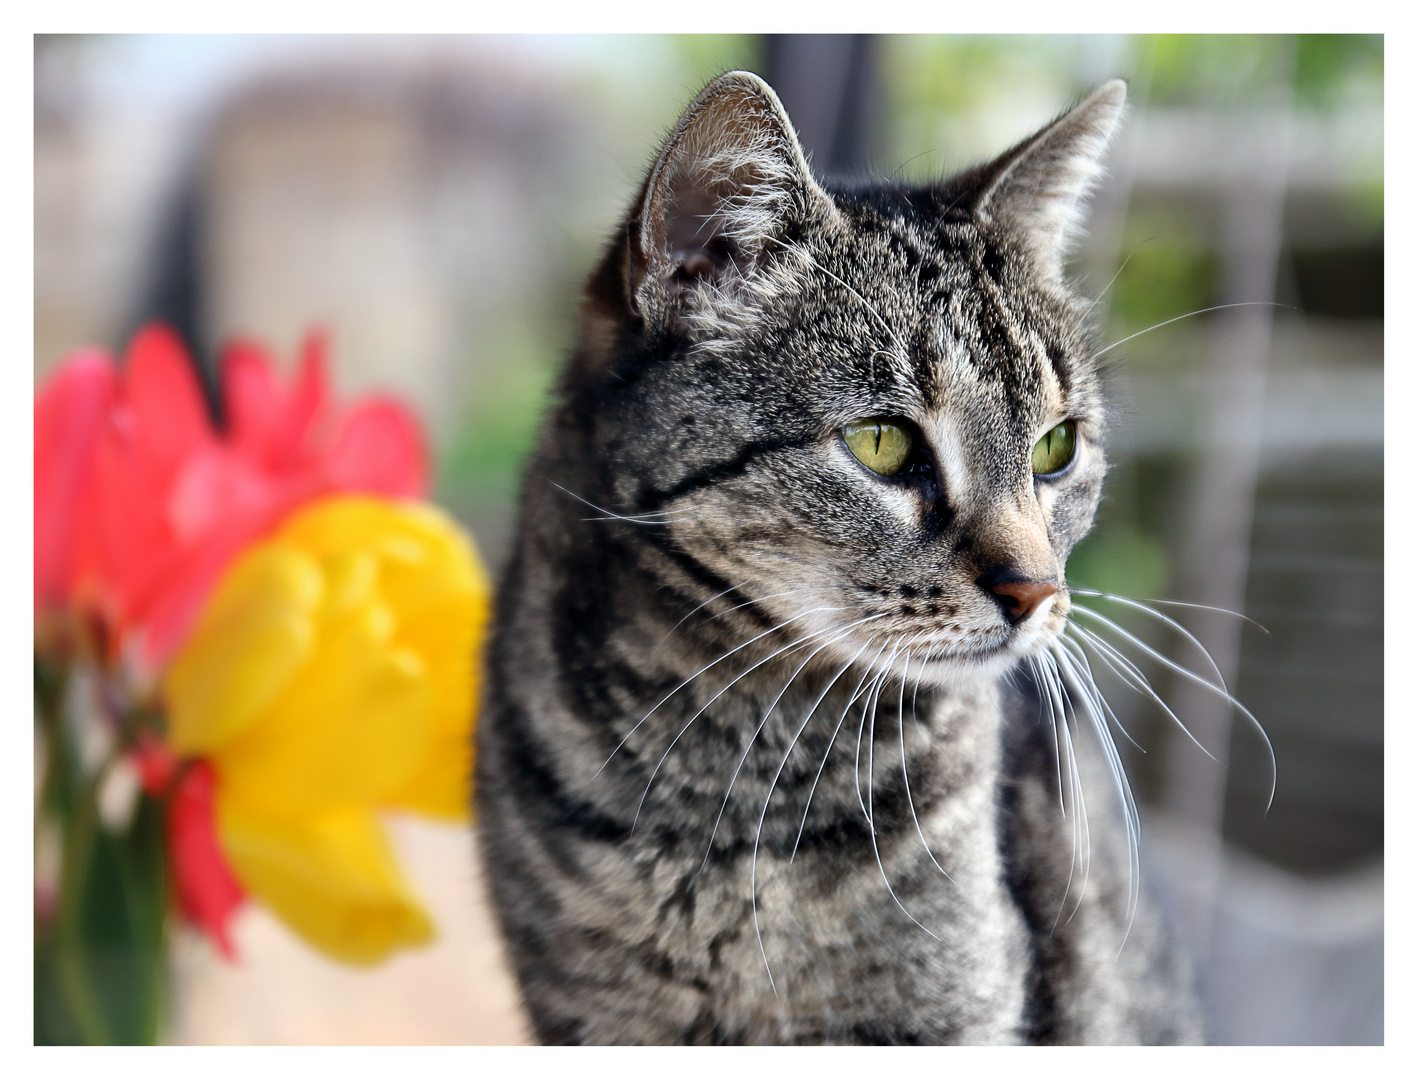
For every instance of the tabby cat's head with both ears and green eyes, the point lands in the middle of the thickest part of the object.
(871, 410)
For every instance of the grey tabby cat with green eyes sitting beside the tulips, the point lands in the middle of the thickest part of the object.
(757, 762)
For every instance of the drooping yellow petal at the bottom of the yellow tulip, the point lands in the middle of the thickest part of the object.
(331, 878)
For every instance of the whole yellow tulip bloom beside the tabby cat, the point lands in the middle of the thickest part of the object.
(333, 677)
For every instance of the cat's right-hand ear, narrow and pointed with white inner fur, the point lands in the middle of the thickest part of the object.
(1039, 188)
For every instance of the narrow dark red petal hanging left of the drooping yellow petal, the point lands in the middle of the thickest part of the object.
(206, 891)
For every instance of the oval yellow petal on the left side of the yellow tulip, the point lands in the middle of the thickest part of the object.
(255, 636)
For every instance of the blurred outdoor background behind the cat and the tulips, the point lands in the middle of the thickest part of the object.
(437, 201)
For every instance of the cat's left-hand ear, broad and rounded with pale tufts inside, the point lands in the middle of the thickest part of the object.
(730, 178)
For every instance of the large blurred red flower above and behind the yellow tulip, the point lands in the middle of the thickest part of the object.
(141, 502)
